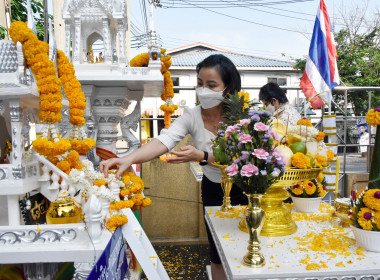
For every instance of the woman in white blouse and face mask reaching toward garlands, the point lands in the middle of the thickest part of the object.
(217, 77)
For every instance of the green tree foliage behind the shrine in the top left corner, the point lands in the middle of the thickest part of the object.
(19, 12)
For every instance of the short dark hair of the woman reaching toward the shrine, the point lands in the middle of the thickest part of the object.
(226, 69)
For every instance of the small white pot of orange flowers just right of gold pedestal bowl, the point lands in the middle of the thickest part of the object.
(307, 195)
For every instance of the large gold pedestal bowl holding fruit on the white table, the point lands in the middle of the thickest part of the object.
(278, 218)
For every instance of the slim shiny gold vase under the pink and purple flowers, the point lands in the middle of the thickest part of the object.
(254, 219)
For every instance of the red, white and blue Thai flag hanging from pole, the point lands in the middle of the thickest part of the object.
(321, 71)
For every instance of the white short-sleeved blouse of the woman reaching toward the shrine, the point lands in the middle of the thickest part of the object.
(191, 122)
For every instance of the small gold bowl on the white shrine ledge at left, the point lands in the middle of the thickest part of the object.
(63, 212)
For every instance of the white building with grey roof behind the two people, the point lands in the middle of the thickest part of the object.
(255, 72)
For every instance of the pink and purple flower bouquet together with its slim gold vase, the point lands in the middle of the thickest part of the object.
(246, 145)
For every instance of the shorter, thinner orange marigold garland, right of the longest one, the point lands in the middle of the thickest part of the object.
(77, 103)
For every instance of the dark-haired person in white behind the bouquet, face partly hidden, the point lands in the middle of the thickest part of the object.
(274, 98)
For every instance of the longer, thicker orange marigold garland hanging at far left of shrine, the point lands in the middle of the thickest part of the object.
(49, 86)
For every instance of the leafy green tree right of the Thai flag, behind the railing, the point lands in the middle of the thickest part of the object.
(358, 47)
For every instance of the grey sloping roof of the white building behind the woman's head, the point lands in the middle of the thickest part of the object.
(193, 57)
